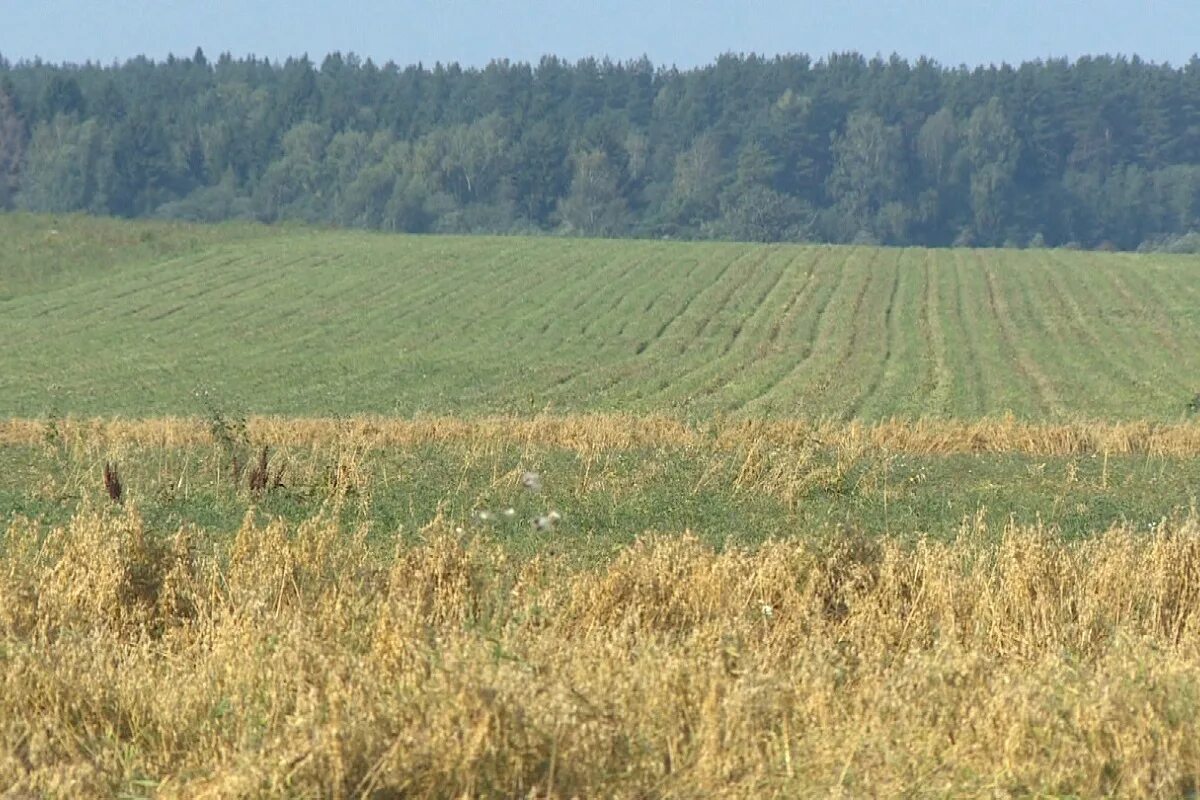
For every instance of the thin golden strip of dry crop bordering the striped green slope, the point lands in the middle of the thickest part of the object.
(619, 431)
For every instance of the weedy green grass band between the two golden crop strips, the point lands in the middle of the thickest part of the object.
(605, 498)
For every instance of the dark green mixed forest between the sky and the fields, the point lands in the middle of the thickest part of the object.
(1099, 153)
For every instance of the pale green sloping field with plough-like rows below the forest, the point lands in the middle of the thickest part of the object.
(133, 318)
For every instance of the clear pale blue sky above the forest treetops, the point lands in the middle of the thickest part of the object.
(669, 32)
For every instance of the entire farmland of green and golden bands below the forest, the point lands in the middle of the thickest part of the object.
(827, 521)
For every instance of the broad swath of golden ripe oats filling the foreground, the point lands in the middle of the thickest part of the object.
(299, 664)
